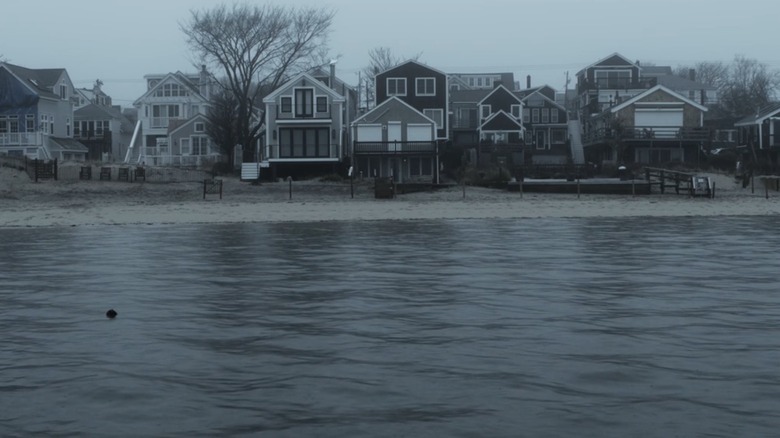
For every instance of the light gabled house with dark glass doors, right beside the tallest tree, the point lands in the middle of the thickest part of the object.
(305, 128)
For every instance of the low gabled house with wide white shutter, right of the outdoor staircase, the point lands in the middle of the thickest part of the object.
(657, 126)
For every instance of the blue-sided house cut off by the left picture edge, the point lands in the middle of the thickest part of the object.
(36, 114)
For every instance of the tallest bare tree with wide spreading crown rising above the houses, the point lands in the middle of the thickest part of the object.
(256, 48)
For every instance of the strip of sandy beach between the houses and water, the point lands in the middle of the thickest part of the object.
(24, 203)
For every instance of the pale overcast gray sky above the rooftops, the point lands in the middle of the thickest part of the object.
(121, 41)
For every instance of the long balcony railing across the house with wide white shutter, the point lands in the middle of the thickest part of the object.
(647, 134)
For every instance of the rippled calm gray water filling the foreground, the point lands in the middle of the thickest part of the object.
(557, 327)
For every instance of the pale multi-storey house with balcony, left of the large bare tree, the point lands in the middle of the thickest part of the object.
(170, 100)
